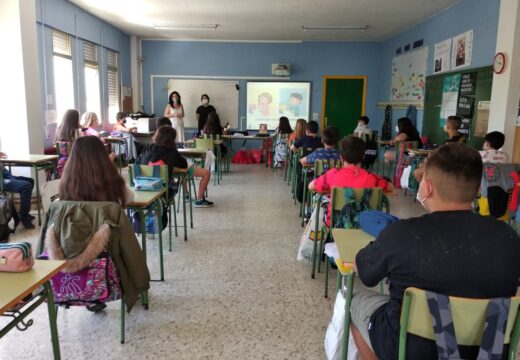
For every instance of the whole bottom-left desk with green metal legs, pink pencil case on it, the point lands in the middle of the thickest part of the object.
(17, 286)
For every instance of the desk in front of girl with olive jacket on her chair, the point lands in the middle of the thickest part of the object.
(145, 202)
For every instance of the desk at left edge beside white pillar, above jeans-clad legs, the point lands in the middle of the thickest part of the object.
(37, 162)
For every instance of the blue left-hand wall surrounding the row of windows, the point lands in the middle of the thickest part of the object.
(67, 17)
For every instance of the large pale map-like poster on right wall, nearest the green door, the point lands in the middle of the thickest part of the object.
(408, 75)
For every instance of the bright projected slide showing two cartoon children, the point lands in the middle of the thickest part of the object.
(267, 101)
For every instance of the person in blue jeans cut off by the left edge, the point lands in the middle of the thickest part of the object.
(20, 185)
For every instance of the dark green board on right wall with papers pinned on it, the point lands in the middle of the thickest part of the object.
(432, 126)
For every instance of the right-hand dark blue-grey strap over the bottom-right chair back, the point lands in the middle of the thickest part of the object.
(492, 343)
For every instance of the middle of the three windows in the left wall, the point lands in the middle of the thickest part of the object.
(93, 97)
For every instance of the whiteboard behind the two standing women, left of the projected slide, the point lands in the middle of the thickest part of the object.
(223, 95)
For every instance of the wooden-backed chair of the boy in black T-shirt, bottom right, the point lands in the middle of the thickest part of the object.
(469, 320)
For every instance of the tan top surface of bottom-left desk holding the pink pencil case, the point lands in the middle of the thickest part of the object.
(16, 286)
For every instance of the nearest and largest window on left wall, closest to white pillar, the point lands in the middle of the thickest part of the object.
(63, 76)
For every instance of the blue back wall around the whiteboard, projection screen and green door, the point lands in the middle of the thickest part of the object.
(309, 60)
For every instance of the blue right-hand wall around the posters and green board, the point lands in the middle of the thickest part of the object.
(479, 15)
